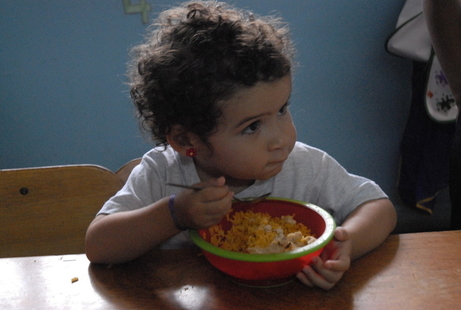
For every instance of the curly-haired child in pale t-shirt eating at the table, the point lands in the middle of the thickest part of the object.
(212, 85)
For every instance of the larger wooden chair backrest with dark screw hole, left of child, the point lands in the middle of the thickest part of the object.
(46, 210)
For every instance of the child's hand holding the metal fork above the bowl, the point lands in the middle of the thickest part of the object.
(206, 207)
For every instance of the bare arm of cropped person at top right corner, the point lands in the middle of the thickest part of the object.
(444, 24)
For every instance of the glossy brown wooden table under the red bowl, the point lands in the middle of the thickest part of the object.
(409, 271)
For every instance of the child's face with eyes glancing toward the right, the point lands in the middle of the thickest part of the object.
(255, 134)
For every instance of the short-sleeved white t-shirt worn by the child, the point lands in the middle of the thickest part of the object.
(308, 175)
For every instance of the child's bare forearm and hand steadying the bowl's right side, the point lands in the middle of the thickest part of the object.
(363, 230)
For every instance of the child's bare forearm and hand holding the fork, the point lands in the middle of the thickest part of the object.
(124, 236)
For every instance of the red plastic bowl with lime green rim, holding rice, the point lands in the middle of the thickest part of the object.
(265, 270)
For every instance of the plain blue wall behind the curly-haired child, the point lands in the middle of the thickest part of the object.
(63, 99)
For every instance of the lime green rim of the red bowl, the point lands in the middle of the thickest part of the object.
(318, 244)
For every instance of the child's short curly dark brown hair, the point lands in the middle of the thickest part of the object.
(198, 54)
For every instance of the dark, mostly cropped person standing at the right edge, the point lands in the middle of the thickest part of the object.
(443, 19)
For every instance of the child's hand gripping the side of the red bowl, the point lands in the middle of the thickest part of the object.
(329, 268)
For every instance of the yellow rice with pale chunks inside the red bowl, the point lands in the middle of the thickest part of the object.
(255, 232)
